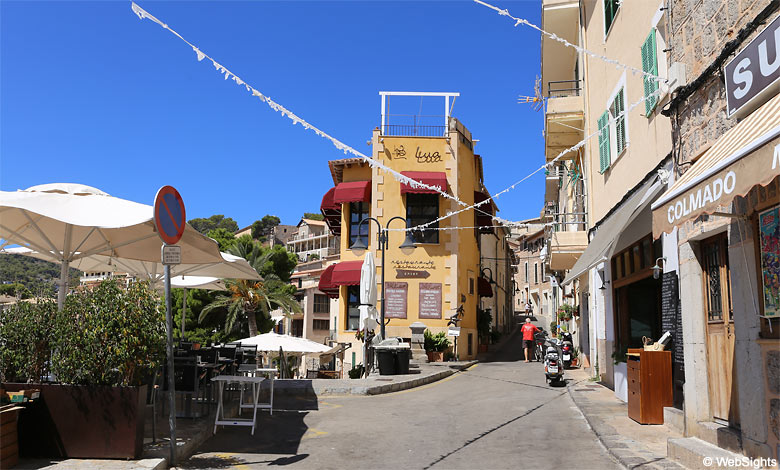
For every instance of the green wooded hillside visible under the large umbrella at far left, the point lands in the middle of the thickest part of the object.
(37, 275)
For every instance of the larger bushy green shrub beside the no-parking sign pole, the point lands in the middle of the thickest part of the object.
(109, 335)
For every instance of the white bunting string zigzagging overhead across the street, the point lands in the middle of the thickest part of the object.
(143, 14)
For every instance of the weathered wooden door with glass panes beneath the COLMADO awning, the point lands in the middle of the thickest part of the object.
(720, 329)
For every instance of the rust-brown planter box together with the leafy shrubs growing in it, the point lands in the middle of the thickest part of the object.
(104, 346)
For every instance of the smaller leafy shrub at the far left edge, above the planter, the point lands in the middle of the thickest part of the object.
(25, 332)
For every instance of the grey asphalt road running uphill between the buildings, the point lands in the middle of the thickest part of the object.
(496, 415)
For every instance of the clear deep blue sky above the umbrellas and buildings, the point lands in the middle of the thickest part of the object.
(91, 94)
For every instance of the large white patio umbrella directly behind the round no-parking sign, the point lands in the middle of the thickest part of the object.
(73, 221)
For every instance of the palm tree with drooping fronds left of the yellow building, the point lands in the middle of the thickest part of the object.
(250, 298)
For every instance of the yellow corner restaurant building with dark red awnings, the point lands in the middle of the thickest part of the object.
(442, 273)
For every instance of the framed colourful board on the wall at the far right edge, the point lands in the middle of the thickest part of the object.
(769, 226)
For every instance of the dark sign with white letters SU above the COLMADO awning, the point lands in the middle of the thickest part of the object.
(754, 69)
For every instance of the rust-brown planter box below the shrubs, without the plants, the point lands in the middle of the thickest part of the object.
(80, 421)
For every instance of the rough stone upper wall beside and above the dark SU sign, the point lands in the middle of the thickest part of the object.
(700, 29)
